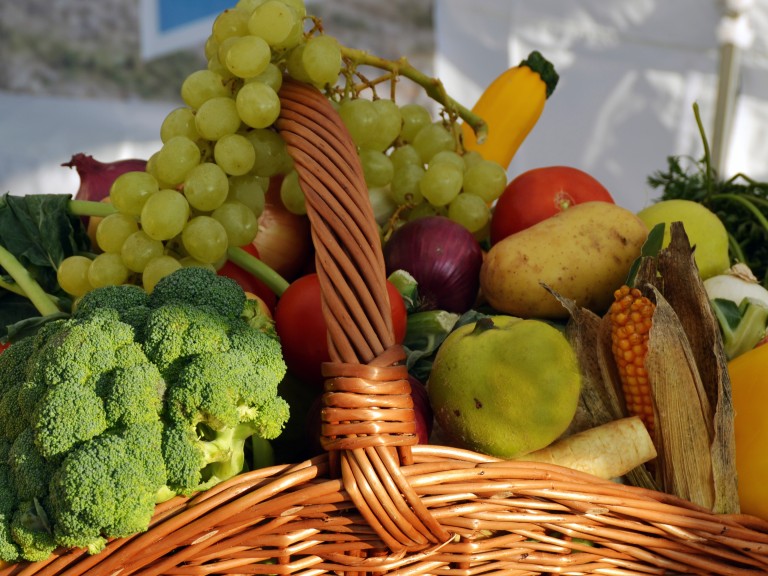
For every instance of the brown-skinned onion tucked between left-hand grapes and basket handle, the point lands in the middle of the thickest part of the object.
(284, 239)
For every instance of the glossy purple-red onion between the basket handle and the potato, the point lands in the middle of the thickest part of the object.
(443, 257)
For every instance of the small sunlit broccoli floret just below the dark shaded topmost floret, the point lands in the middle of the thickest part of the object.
(176, 332)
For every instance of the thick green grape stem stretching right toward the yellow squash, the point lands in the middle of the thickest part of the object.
(433, 87)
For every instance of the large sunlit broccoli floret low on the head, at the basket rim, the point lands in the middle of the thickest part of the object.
(106, 487)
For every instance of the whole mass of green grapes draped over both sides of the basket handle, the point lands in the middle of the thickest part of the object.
(203, 191)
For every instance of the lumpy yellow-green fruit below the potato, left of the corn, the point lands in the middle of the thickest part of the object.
(504, 386)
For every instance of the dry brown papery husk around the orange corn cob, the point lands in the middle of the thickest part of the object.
(688, 372)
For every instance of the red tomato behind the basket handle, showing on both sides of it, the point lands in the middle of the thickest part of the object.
(303, 332)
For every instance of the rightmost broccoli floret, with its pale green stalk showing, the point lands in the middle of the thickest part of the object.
(212, 408)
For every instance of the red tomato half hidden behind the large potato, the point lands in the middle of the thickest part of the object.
(540, 193)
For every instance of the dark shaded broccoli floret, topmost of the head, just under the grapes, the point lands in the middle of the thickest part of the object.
(200, 287)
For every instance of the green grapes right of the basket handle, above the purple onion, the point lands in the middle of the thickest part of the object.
(415, 166)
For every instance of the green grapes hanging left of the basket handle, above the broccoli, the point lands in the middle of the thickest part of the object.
(203, 190)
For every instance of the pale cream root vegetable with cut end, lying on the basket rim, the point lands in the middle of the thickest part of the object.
(607, 451)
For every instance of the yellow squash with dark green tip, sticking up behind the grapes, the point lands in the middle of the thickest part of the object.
(511, 105)
